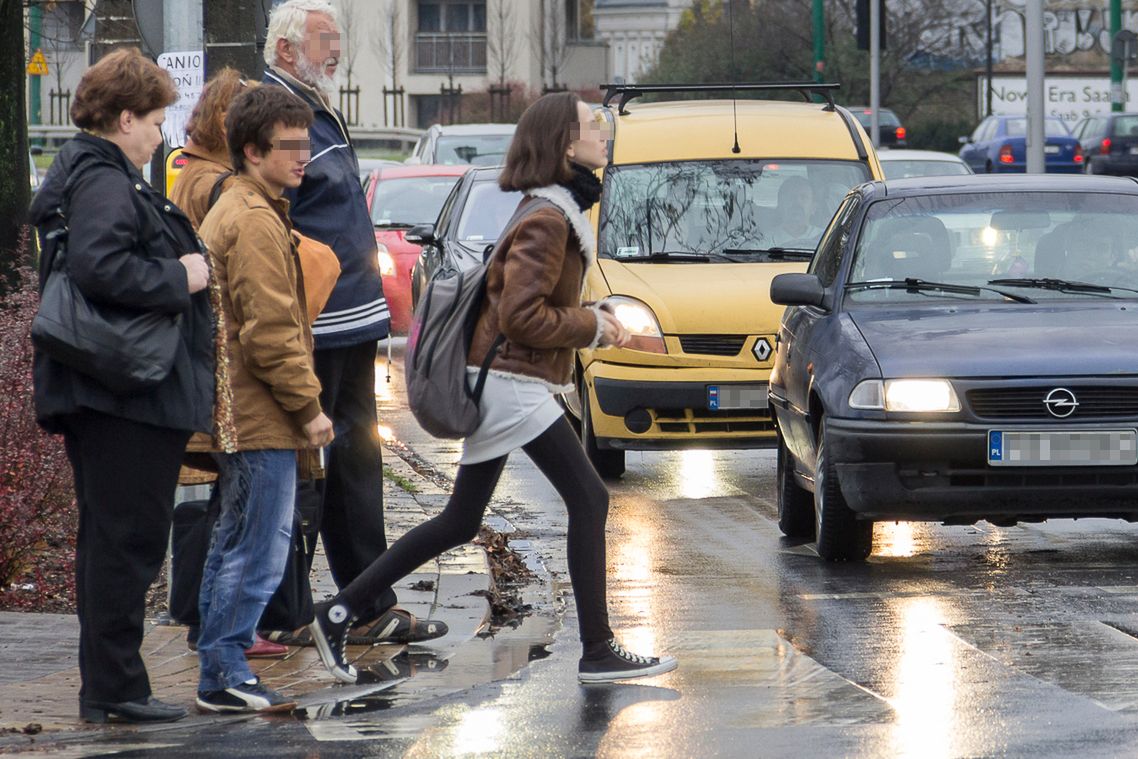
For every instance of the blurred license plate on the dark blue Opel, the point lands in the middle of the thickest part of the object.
(1062, 448)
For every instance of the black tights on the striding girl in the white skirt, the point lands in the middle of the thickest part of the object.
(558, 455)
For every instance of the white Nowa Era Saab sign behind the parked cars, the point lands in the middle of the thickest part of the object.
(1069, 98)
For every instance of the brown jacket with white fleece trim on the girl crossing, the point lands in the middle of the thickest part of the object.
(533, 298)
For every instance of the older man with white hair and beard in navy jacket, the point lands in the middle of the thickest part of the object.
(303, 52)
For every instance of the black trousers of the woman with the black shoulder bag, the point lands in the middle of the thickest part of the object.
(126, 476)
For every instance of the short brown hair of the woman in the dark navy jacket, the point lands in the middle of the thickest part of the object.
(125, 80)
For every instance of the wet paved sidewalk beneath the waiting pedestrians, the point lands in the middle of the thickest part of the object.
(39, 674)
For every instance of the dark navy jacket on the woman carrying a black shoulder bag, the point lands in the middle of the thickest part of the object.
(123, 247)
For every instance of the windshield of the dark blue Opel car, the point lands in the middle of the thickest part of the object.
(1009, 245)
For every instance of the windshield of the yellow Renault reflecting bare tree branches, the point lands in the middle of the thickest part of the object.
(721, 211)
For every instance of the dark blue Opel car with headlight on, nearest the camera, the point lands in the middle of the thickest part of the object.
(961, 349)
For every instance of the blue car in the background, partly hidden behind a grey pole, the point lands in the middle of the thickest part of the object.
(999, 145)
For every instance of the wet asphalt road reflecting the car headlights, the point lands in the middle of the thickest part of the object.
(950, 642)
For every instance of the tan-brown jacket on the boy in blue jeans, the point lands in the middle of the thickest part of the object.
(276, 391)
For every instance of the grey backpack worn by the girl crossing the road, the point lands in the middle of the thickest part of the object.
(439, 344)
